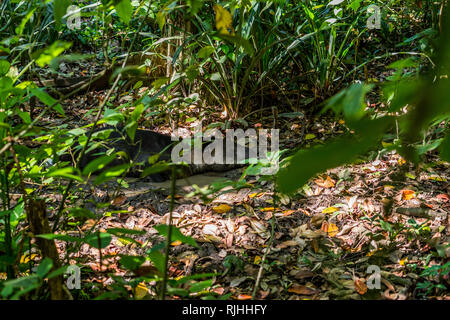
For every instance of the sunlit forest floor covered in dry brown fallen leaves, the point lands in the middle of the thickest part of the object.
(379, 214)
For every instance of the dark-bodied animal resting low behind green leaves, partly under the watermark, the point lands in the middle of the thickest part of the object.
(146, 144)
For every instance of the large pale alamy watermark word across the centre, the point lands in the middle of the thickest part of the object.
(229, 149)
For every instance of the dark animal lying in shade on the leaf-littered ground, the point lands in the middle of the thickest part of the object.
(145, 150)
